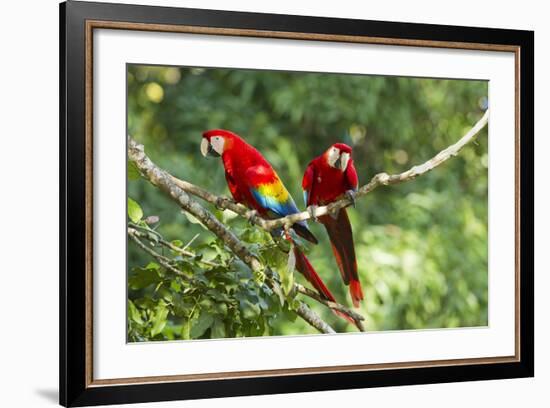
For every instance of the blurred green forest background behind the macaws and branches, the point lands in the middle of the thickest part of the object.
(421, 245)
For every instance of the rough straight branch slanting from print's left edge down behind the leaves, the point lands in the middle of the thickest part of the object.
(165, 183)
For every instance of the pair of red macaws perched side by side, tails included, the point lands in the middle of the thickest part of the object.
(254, 183)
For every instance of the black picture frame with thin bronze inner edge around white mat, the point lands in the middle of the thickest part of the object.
(79, 21)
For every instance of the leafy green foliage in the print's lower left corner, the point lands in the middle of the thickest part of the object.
(213, 295)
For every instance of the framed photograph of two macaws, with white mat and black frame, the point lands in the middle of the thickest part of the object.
(255, 203)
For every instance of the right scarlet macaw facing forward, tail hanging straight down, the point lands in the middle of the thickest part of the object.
(327, 178)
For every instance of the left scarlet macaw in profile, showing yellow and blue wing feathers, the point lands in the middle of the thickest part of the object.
(253, 182)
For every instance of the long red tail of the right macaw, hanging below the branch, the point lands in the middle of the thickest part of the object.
(341, 239)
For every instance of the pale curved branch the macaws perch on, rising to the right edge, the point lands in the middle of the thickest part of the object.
(381, 179)
